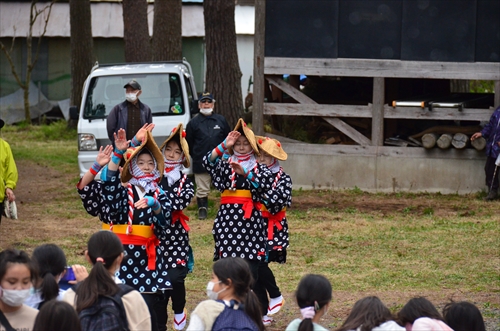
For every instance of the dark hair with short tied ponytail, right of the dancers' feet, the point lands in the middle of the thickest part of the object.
(312, 291)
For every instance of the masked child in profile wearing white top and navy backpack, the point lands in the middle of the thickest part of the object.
(232, 304)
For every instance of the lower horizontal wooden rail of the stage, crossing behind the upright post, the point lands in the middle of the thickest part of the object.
(415, 113)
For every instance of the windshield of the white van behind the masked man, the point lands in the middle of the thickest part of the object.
(161, 92)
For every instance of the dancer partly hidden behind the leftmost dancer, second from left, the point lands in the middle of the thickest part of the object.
(174, 244)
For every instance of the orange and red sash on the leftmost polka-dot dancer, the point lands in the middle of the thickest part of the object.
(142, 235)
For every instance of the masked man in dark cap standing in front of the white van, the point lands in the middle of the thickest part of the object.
(129, 115)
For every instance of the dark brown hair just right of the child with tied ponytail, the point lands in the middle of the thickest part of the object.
(367, 313)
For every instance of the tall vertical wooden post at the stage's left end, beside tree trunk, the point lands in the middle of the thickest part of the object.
(259, 84)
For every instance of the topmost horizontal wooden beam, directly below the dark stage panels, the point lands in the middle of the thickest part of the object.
(382, 68)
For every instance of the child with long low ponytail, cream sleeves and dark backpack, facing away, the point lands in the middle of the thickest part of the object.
(105, 253)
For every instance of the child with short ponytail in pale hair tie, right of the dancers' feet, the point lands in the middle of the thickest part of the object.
(313, 296)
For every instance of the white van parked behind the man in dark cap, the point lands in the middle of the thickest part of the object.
(167, 88)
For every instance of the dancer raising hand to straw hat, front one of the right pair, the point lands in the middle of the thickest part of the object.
(238, 228)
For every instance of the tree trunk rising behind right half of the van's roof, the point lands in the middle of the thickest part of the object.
(167, 31)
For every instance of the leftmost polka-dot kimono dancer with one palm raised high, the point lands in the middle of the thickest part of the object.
(138, 212)
